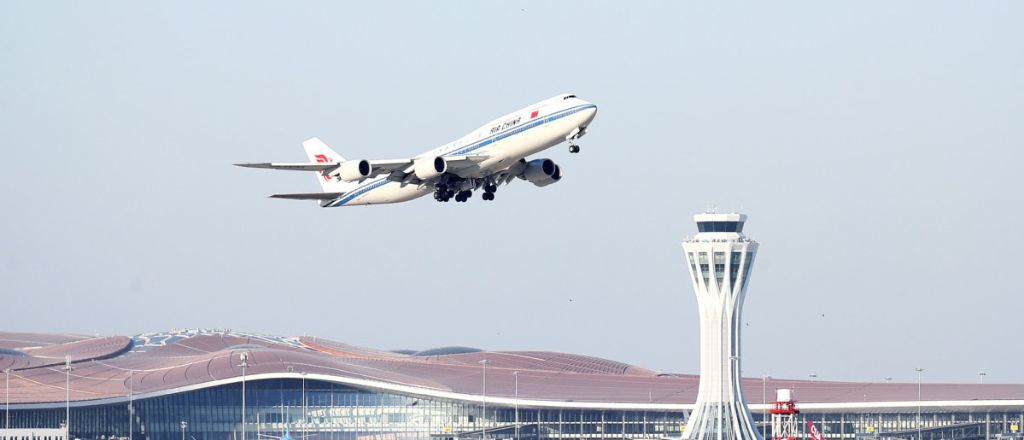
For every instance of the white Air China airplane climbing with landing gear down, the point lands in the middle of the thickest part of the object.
(487, 158)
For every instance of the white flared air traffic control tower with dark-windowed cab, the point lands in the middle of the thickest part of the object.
(720, 258)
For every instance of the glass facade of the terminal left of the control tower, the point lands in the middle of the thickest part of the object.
(331, 412)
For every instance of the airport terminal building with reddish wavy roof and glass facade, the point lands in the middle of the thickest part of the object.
(189, 384)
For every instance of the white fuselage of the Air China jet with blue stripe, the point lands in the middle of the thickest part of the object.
(503, 142)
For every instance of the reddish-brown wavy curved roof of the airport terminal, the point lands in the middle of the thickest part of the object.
(176, 362)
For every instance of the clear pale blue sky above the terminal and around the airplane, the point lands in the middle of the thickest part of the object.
(876, 147)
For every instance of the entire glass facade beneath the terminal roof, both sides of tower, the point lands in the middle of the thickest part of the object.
(331, 412)
